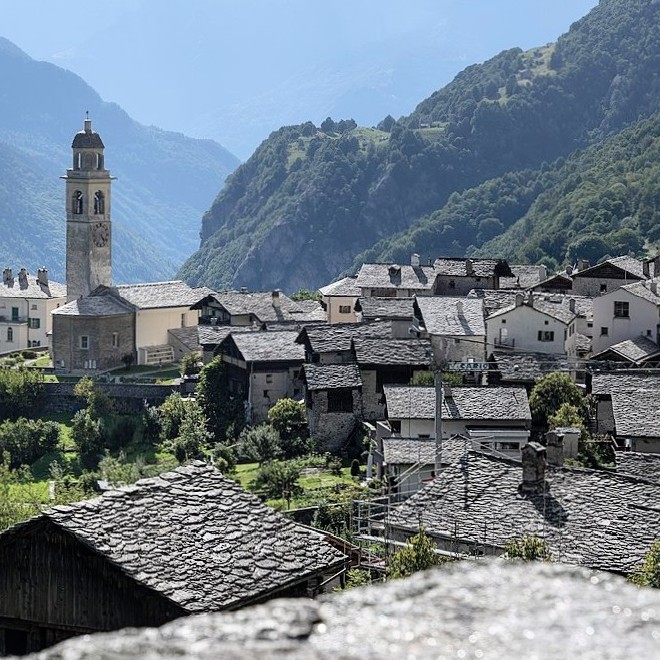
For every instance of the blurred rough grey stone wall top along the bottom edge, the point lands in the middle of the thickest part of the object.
(483, 610)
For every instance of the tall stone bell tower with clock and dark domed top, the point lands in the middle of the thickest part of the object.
(88, 228)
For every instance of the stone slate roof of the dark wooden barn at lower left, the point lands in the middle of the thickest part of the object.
(197, 538)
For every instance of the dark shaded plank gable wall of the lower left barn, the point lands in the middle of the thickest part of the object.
(57, 585)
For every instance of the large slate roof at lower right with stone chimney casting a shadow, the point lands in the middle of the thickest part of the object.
(595, 518)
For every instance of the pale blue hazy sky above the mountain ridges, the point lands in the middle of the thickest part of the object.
(234, 70)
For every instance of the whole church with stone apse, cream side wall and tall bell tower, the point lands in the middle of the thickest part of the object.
(104, 326)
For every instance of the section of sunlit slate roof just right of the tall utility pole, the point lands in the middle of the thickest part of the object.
(486, 403)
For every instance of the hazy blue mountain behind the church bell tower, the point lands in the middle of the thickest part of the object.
(164, 180)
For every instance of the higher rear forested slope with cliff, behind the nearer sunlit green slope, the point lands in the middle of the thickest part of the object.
(308, 201)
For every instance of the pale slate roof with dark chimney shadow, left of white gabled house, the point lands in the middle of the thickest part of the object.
(452, 316)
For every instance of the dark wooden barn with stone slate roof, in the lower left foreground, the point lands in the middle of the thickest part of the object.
(188, 541)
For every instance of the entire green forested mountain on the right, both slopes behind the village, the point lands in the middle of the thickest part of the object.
(497, 148)
